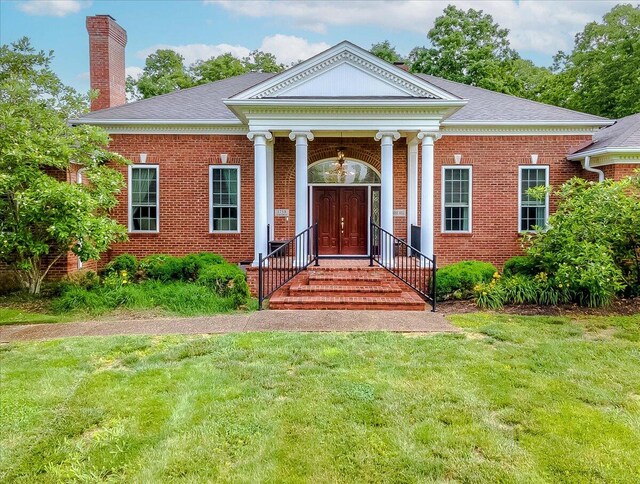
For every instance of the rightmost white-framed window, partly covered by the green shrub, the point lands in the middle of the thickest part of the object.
(533, 212)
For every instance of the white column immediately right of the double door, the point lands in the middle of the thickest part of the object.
(386, 139)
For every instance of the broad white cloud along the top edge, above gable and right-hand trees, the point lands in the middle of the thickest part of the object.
(535, 25)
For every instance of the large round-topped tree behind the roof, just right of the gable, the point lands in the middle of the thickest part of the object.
(468, 47)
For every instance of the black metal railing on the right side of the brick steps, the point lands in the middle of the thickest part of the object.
(406, 263)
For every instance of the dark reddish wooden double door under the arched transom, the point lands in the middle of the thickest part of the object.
(341, 213)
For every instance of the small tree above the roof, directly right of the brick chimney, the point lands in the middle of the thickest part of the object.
(163, 72)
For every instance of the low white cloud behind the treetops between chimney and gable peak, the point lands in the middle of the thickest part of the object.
(286, 48)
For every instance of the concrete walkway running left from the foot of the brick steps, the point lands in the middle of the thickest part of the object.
(305, 321)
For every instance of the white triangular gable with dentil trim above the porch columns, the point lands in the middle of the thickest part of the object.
(345, 70)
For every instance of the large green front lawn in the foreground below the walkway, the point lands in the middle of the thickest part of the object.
(512, 399)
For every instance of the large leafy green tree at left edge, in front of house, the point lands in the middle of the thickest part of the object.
(42, 216)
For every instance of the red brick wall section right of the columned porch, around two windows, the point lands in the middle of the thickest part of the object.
(495, 162)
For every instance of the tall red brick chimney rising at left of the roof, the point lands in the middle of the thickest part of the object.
(106, 61)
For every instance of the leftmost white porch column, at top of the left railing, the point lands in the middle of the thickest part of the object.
(259, 139)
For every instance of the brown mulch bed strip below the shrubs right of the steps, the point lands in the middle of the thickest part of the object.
(620, 307)
